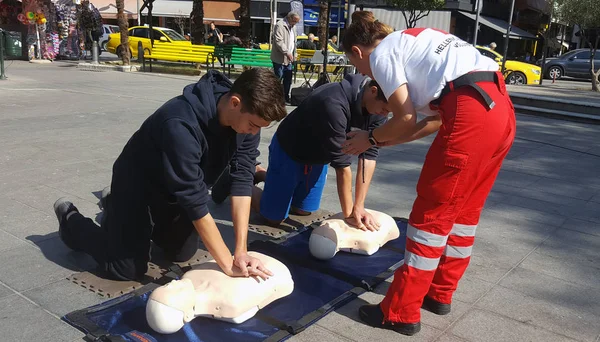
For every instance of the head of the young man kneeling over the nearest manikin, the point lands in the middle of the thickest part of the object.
(254, 101)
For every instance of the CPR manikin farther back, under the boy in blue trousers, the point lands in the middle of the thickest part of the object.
(334, 235)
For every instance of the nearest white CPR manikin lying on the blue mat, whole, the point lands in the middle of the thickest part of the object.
(208, 292)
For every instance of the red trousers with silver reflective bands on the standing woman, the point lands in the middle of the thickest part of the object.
(458, 174)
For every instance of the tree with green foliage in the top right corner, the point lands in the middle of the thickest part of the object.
(586, 15)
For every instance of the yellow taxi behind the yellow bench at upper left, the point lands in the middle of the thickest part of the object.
(162, 35)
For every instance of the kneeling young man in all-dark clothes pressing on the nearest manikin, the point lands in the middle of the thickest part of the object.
(159, 188)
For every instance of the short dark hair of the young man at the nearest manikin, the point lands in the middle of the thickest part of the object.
(261, 93)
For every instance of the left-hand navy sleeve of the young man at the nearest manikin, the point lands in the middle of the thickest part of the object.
(181, 150)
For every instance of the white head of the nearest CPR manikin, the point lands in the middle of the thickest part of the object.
(171, 306)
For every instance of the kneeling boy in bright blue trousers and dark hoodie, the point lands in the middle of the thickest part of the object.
(311, 137)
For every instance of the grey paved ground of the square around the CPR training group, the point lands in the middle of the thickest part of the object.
(534, 274)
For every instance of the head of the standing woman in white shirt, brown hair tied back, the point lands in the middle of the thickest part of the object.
(361, 38)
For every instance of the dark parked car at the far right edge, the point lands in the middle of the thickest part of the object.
(574, 63)
